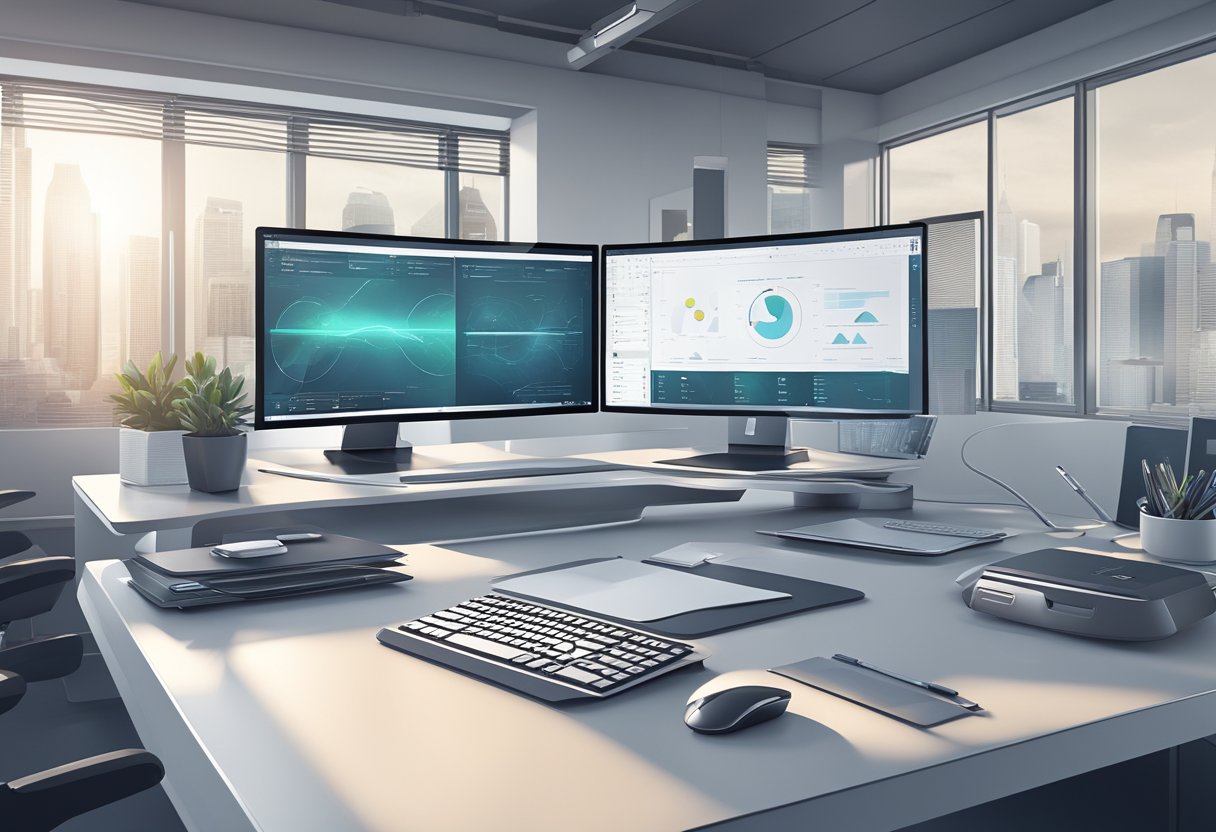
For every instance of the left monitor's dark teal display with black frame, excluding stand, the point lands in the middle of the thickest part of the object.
(374, 329)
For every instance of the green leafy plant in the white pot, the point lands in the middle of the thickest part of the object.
(150, 439)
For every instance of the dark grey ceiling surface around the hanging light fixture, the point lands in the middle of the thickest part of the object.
(862, 46)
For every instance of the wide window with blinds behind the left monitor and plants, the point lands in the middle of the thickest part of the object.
(127, 223)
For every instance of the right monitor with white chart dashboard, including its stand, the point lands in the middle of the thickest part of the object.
(826, 325)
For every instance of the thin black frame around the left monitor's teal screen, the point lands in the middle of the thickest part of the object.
(441, 244)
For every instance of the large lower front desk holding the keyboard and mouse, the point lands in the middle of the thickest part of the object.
(289, 717)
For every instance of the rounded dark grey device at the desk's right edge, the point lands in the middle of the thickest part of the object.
(1091, 595)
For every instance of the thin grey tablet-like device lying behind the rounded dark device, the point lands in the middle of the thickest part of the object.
(893, 536)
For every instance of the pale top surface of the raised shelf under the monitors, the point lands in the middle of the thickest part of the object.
(134, 510)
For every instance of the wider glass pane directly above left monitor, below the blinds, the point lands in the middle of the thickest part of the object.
(346, 195)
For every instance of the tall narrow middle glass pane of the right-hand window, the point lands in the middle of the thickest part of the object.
(1033, 258)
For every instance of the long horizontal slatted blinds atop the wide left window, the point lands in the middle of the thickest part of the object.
(47, 106)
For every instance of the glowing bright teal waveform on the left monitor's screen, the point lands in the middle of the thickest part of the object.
(313, 335)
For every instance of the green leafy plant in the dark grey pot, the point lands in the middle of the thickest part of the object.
(213, 413)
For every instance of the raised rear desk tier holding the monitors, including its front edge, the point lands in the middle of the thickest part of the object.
(111, 518)
